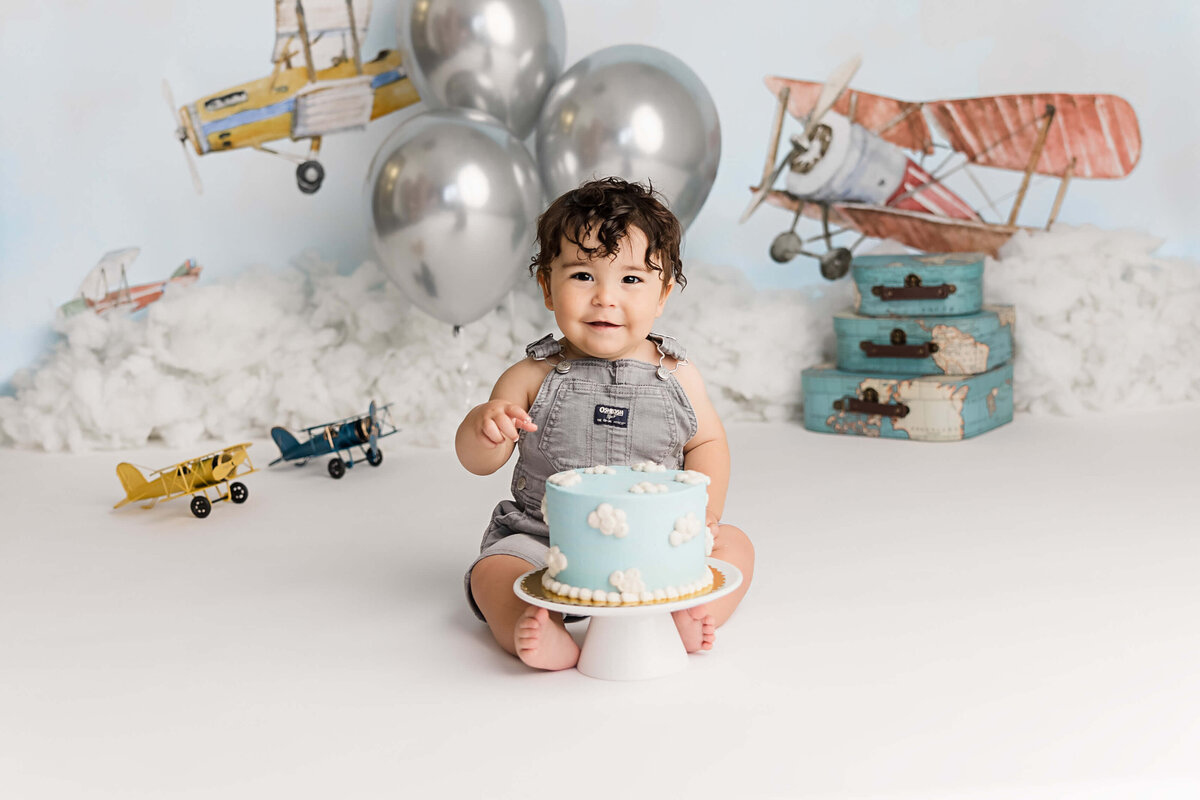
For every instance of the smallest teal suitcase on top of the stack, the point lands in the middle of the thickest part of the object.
(929, 285)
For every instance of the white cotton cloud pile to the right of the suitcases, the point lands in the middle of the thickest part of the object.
(1102, 324)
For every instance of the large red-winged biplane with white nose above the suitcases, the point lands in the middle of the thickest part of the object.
(849, 167)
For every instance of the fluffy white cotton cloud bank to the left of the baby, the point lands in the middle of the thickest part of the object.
(295, 347)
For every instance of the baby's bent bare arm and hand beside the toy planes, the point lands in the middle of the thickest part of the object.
(489, 432)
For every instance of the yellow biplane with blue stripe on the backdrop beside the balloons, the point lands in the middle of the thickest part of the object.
(320, 86)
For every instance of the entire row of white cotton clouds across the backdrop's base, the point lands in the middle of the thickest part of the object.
(1102, 324)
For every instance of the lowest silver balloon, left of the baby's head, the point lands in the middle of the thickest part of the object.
(453, 203)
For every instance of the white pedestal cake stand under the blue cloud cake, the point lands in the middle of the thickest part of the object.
(631, 642)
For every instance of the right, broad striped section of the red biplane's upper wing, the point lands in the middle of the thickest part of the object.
(1099, 133)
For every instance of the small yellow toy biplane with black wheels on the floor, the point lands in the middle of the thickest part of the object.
(195, 477)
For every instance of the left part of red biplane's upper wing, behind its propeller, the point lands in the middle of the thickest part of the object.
(895, 121)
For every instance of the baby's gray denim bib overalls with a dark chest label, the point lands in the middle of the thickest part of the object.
(589, 412)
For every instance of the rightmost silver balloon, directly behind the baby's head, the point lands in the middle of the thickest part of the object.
(634, 112)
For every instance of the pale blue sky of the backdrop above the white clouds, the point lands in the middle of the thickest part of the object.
(88, 161)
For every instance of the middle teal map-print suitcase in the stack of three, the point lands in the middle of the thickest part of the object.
(926, 346)
